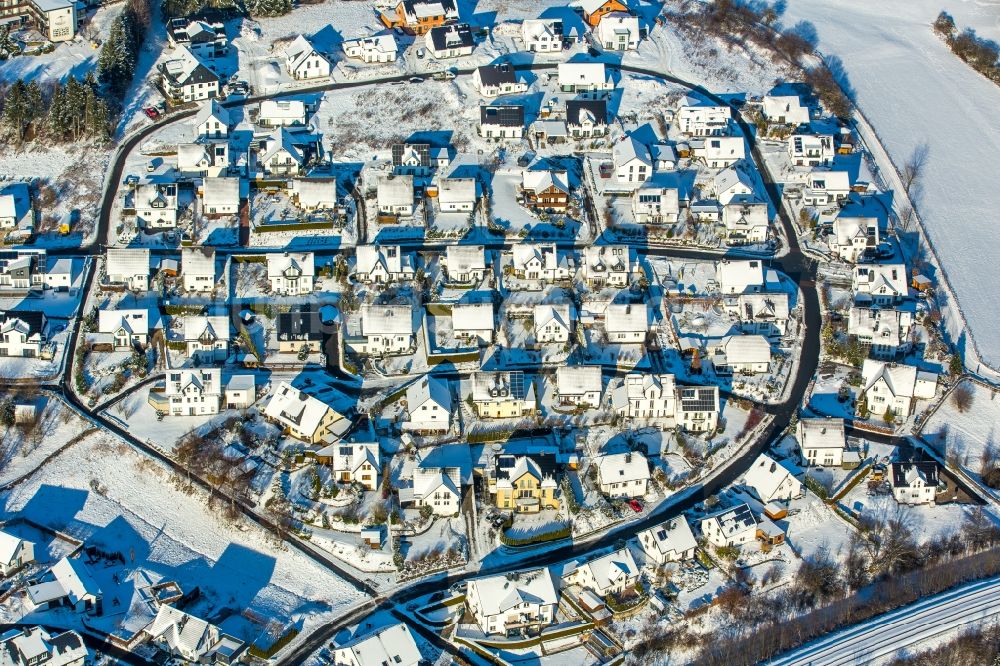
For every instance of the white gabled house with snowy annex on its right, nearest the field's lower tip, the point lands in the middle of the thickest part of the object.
(892, 388)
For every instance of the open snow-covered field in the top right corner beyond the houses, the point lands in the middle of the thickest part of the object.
(915, 91)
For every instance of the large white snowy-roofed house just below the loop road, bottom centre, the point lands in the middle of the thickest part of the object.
(514, 601)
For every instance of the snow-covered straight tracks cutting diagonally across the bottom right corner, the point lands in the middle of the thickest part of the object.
(911, 626)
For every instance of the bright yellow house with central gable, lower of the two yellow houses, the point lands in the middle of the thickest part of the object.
(525, 484)
